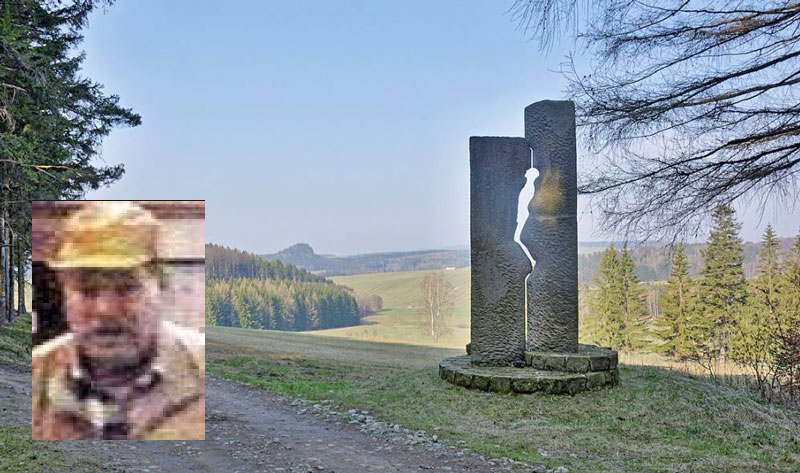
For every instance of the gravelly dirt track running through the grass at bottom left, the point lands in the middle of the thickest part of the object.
(249, 430)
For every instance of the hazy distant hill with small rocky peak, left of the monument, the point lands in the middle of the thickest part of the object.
(303, 256)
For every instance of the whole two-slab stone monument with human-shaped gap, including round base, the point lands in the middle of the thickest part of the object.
(524, 287)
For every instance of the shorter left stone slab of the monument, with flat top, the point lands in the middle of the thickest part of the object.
(499, 266)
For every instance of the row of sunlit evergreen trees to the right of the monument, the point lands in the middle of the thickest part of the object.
(715, 318)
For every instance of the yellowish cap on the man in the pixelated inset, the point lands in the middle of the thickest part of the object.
(107, 234)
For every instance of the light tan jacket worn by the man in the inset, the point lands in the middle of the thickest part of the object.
(166, 402)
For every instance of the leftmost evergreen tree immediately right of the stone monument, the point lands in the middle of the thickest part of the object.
(607, 301)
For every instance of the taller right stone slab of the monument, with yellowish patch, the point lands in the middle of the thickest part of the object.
(551, 233)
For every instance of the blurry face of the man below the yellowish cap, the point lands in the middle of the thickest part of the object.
(111, 312)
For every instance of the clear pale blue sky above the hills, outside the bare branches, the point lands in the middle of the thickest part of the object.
(341, 124)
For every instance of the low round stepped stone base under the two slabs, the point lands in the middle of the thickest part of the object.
(553, 373)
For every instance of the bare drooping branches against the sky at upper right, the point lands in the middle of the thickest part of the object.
(683, 105)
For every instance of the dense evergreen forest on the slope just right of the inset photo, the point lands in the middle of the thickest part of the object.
(243, 290)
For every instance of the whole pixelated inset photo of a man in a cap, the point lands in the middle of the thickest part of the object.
(118, 320)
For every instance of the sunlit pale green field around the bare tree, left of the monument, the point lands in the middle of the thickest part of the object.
(396, 323)
